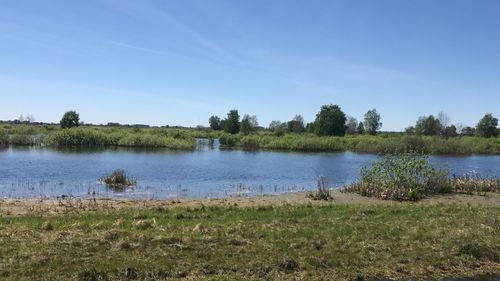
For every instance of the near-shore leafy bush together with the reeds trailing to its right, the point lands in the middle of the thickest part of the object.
(411, 177)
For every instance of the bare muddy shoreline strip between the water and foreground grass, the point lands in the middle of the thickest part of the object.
(49, 206)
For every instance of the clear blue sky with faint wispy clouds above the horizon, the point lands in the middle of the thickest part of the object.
(162, 62)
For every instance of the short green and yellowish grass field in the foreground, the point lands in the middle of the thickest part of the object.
(343, 242)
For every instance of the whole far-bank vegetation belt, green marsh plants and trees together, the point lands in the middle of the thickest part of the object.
(332, 130)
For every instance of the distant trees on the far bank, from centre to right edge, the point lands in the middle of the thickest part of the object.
(332, 121)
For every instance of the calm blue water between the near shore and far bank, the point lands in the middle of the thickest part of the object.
(42, 172)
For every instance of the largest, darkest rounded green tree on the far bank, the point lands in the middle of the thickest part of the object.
(330, 121)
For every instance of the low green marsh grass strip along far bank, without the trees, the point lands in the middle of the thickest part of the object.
(184, 139)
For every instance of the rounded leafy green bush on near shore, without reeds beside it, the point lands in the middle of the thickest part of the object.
(401, 177)
